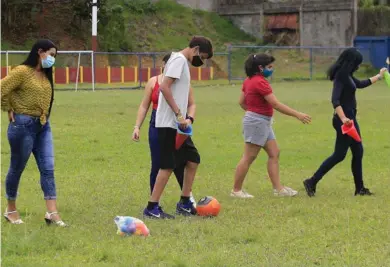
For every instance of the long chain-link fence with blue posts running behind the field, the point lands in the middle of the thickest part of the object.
(88, 70)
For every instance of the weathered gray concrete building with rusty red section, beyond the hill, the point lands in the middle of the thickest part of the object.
(315, 22)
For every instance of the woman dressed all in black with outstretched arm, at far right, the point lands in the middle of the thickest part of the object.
(344, 103)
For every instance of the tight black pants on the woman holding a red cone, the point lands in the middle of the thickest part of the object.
(343, 143)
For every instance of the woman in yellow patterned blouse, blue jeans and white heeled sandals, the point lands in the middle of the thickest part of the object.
(27, 96)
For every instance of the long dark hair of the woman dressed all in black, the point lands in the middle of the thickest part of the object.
(347, 63)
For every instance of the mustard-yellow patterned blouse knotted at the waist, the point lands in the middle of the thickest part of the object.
(24, 92)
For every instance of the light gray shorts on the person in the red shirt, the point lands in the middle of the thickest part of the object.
(257, 128)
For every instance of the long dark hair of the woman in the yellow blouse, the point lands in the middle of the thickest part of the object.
(33, 60)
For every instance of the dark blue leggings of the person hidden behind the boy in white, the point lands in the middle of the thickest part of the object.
(155, 155)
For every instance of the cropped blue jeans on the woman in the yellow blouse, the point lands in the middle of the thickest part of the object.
(27, 135)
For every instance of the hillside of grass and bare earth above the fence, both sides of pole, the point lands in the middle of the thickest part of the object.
(125, 25)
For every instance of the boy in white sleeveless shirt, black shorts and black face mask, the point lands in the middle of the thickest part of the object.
(173, 102)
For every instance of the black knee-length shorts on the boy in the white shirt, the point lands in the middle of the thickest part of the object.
(169, 156)
